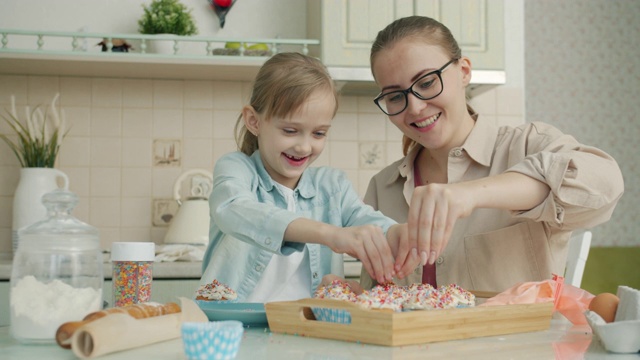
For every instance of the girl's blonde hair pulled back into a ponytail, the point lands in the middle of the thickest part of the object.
(283, 84)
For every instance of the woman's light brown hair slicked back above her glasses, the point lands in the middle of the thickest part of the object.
(428, 30)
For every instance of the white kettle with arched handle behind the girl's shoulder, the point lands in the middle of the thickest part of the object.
(190, 225)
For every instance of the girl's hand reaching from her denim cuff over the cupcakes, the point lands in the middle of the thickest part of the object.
(368, 244)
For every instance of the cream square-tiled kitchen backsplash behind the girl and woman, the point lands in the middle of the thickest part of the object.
(131, 139)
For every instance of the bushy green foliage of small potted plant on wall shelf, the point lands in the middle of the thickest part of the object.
(167, 17)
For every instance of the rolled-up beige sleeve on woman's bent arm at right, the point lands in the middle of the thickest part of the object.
(586, 183)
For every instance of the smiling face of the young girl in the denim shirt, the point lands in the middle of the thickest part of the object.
(289, 145)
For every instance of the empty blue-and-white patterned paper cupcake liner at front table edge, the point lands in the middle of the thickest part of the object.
(212, 340)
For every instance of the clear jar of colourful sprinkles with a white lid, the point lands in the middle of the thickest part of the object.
(132, 272)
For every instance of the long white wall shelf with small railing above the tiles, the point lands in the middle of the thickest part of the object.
(52, 53)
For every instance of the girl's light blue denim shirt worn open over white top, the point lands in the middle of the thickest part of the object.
(249, 218)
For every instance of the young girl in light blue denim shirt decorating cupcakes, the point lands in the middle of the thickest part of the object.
(277, 225)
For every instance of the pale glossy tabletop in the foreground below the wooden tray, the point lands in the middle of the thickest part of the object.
(561, 341)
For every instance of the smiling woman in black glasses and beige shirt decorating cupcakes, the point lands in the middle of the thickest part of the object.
(487, 206)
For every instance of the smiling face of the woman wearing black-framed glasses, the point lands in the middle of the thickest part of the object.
(439, 123)
